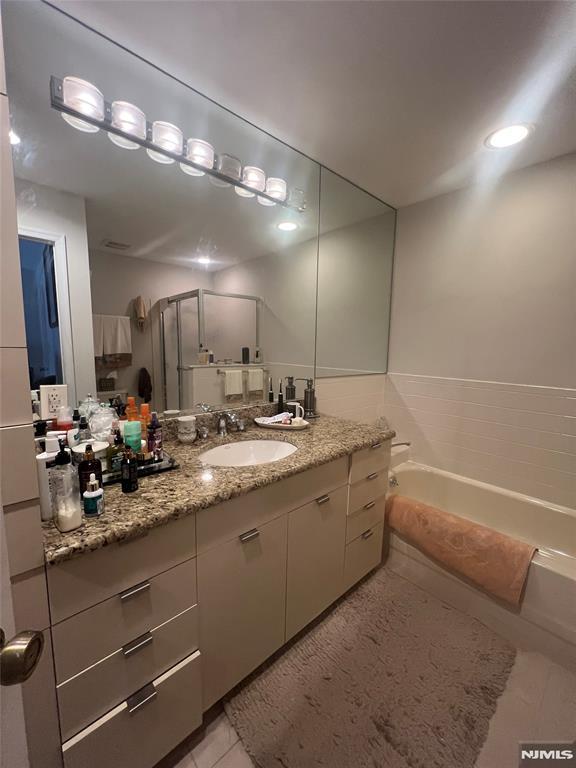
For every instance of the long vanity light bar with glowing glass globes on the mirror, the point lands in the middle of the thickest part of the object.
(83, 106)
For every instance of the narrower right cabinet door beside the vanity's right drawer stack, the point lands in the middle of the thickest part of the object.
(316, 545)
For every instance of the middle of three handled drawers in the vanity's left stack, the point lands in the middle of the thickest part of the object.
(102, 686)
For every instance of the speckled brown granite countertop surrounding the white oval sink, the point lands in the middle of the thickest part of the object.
(195, 486)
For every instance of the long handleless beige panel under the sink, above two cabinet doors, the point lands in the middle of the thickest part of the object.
(227, 521)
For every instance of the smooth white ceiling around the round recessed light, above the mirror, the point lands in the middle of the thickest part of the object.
(396, 96)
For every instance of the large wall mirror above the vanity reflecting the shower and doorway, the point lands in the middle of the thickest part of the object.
(147, 275)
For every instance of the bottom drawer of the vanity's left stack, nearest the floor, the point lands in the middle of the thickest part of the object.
(171, 709)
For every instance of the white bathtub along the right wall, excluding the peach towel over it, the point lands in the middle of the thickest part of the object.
(546, 621)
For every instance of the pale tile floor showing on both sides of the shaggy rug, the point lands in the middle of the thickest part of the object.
(539, 703)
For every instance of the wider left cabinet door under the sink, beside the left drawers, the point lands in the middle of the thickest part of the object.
(242, 600)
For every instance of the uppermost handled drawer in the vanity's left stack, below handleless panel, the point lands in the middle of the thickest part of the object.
(91, 635)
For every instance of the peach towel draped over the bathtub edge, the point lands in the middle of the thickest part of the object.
(495, 562)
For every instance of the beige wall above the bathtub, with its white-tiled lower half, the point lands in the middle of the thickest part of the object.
(482, 367)
